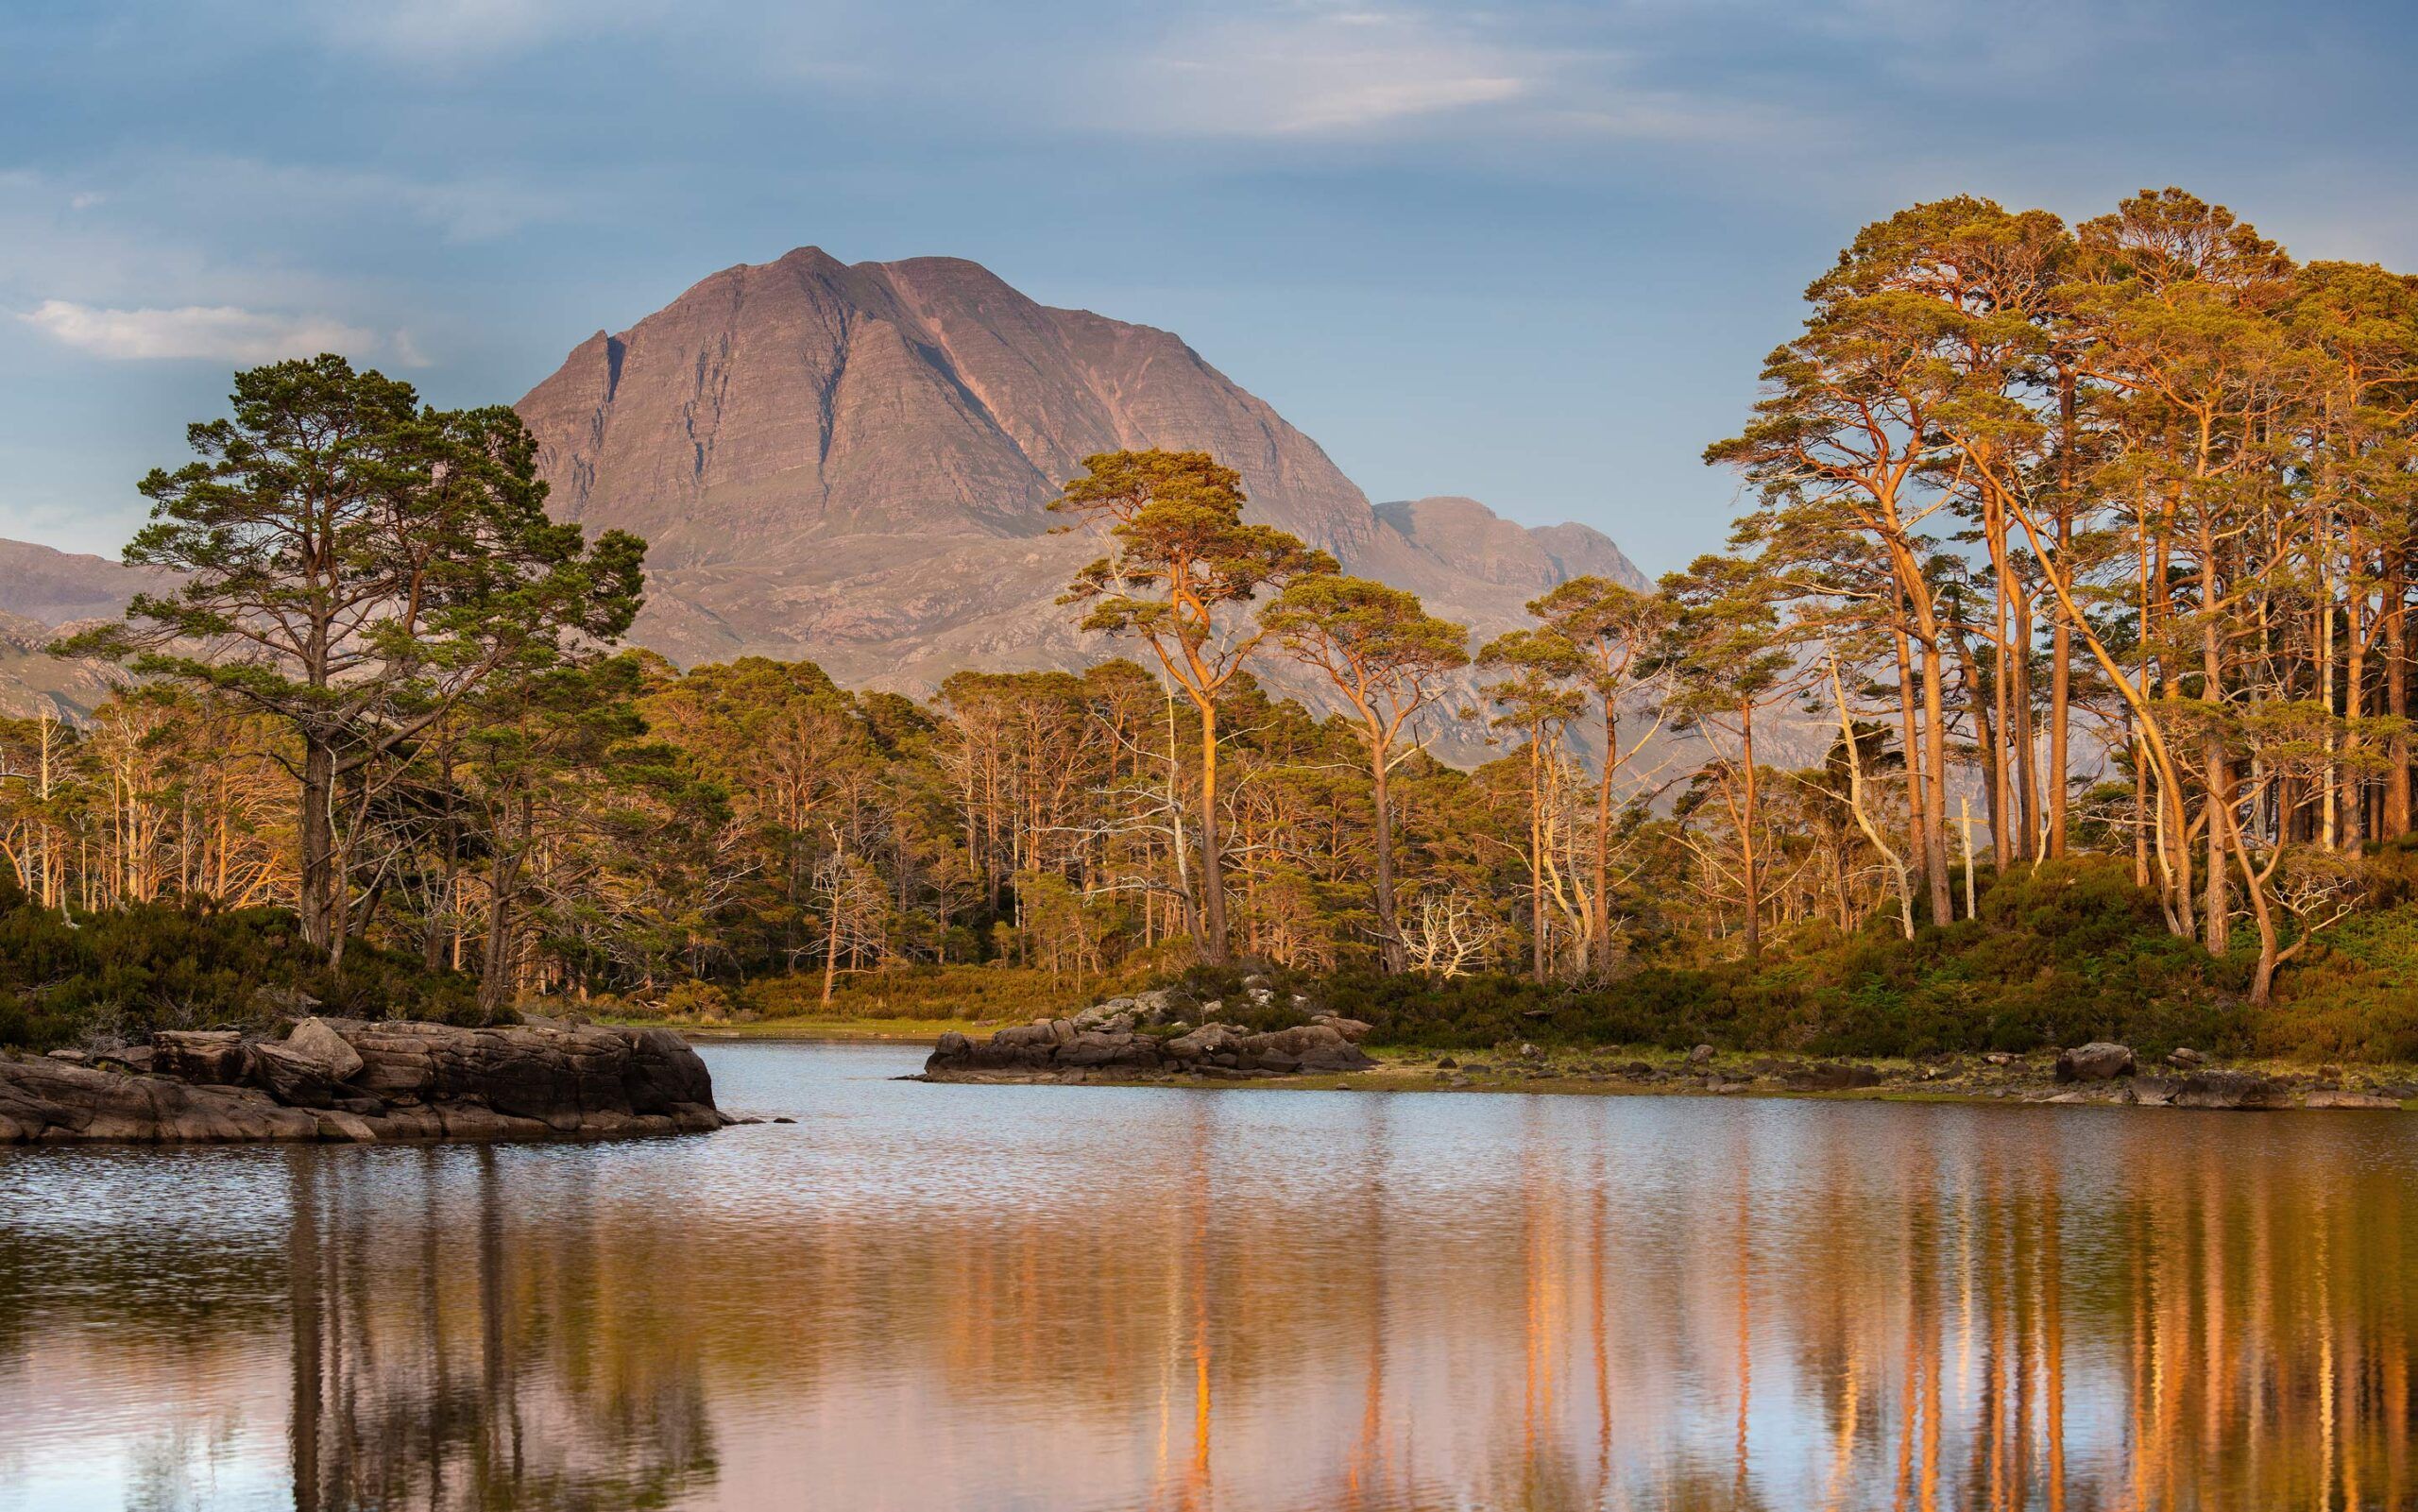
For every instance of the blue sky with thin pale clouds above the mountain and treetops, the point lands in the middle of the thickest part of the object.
(1527, 253)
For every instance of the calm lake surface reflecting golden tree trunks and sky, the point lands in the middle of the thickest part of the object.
(1080, 1298)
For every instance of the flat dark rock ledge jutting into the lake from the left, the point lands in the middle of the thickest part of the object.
(364, 1083)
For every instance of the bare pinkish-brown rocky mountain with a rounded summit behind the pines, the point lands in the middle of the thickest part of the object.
(852, 463)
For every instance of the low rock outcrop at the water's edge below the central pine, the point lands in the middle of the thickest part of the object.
(1147, 1037)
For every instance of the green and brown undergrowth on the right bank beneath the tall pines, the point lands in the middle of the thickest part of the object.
(2061, 954)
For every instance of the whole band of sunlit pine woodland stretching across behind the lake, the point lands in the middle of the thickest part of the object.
(2064, 541)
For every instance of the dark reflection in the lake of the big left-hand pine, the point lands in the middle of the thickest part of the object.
(487, 1378)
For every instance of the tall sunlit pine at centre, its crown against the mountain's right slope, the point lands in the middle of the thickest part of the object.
(1184, 562)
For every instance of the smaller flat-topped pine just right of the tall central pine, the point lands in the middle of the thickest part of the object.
(1389, 659)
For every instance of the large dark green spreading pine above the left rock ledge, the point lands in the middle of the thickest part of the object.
(357, 565)
